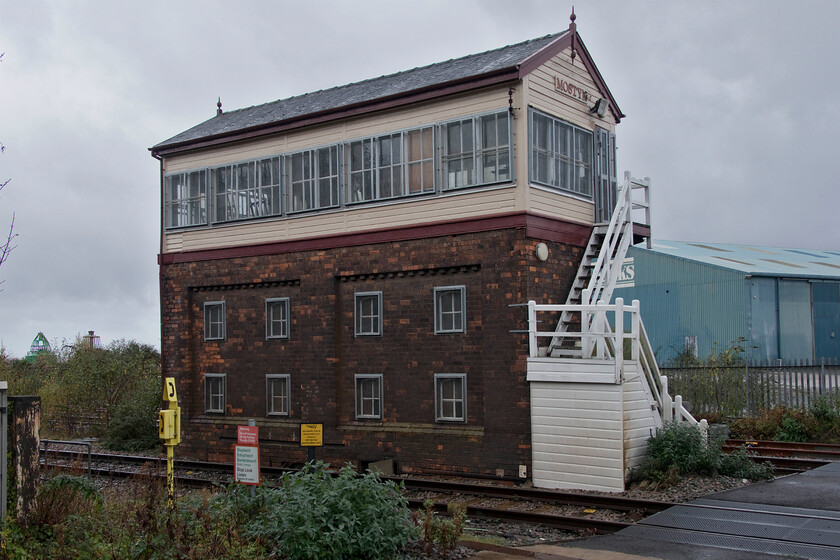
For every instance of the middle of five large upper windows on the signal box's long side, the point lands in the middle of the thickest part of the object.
(313, 179)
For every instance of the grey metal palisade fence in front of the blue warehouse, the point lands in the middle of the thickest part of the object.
(745, 390)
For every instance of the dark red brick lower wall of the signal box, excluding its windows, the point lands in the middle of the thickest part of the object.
(498, 269)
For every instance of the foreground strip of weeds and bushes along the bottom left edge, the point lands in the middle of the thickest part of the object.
(312, 515)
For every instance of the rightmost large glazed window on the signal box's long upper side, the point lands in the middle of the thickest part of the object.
(476, 150)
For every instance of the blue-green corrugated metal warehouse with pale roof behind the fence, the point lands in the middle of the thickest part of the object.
(784, 304)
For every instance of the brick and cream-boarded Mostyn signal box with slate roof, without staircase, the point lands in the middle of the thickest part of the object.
(357, 257)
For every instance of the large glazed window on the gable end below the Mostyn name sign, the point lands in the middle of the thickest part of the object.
(561, 154)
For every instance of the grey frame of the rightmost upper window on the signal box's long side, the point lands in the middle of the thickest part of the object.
(473, 147)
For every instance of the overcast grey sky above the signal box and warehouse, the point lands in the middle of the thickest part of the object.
(731, 110)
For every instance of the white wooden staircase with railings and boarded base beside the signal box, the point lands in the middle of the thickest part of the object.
(596, 391)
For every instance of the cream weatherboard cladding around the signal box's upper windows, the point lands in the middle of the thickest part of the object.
(537, 90)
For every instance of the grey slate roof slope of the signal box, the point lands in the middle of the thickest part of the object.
(385, 87)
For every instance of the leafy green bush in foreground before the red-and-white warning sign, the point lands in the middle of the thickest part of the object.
(314, 515)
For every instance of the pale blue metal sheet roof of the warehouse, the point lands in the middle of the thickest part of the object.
(756, 260)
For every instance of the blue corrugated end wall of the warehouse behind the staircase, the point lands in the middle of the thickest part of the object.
(684, 301)
